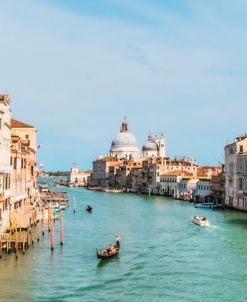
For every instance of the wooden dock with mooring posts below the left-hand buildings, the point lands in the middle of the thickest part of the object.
(29, 223)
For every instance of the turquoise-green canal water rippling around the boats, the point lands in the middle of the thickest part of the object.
(163, 257)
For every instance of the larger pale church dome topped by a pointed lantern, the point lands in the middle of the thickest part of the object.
(124, 145)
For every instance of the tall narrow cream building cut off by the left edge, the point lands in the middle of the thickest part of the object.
(5, 167)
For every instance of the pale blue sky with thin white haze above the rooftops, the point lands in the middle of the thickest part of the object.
(74, 69)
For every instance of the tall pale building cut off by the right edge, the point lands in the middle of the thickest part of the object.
(236, 173)
